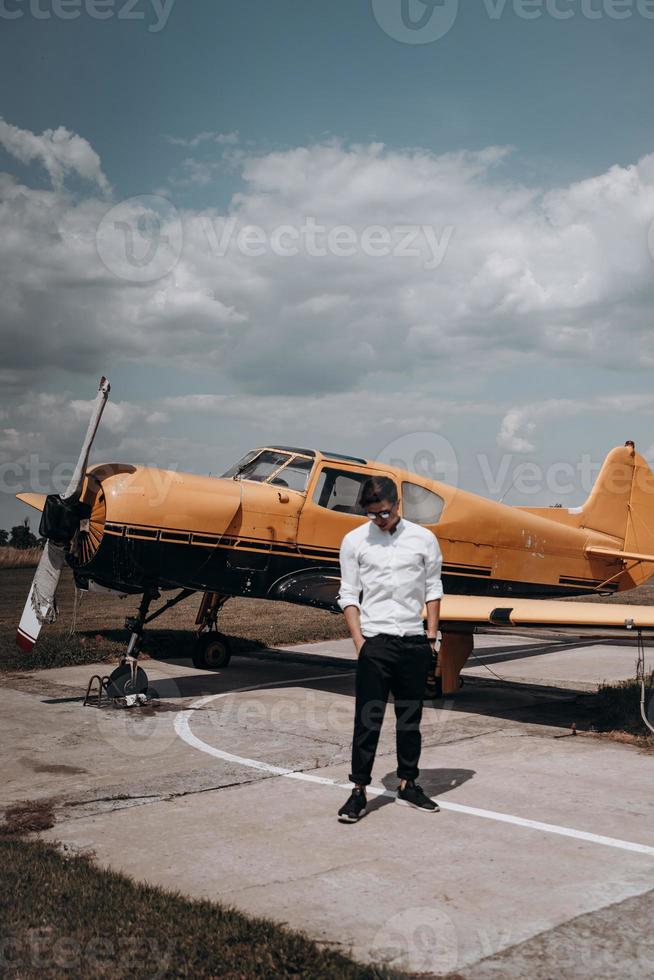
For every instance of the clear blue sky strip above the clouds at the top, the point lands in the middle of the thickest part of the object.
(572, 95)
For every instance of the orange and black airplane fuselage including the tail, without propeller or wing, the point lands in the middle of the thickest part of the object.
(238, 536)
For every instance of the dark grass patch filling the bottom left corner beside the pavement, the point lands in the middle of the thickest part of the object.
(63, 916)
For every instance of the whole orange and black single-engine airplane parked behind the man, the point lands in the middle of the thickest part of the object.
(271, 527)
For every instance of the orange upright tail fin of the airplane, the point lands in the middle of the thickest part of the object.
(621, 504)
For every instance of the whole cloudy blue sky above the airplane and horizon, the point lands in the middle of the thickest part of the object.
(413, 231)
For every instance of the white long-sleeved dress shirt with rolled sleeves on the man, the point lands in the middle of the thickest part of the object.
(397, 574)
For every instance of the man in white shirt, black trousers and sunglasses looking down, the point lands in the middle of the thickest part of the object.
(396, 566)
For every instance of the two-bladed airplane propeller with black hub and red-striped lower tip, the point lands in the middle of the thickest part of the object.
(60, 522)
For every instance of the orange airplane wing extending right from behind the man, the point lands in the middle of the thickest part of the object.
(549, 613)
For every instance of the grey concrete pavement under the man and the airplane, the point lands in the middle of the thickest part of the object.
(541, 859)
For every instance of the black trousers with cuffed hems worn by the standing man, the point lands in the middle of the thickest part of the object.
(398, 665)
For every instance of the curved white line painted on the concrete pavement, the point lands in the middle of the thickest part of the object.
(183, 729)
